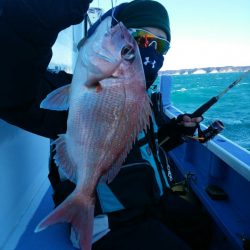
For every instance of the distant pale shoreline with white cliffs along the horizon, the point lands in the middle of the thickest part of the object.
(207, 70)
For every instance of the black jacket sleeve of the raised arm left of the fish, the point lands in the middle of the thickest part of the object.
(28, 29)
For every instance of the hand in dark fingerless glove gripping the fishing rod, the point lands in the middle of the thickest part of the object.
(188, 125)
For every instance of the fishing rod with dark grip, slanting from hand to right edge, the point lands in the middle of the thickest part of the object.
(203, 108)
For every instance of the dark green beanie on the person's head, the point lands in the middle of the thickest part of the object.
(145, 13)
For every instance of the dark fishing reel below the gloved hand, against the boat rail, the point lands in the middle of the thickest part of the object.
(205, 135)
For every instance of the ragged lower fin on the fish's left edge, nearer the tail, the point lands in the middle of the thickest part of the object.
(63, 160)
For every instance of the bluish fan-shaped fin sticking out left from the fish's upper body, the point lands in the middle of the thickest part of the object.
(57, 99)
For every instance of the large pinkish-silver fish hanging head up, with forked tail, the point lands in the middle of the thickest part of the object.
(108, 106)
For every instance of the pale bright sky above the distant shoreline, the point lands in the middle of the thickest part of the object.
(205, 33)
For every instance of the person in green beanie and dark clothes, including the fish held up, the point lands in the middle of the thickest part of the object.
(104, 133)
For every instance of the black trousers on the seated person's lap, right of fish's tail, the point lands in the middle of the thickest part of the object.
(174, 223)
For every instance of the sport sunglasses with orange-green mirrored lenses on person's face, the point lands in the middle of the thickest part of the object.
(145, 39)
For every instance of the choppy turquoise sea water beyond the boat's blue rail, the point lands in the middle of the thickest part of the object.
(233, 109)
